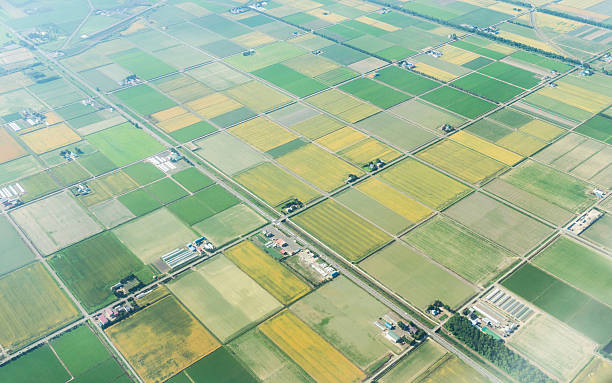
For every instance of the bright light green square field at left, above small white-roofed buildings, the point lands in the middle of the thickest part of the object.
(124, 144)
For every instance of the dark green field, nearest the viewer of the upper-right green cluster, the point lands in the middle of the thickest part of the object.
(459, 102)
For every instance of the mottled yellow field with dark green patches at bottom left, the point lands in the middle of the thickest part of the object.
(161, 340)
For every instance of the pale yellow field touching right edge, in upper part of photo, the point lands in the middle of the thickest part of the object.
(582, 98)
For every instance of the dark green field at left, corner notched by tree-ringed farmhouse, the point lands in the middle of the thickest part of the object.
(89, 268)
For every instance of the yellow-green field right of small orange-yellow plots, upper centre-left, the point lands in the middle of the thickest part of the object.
(258, 96)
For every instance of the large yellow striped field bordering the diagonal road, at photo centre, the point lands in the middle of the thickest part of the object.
(342, 230)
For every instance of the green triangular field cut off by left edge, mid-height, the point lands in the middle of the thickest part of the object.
(14, 252)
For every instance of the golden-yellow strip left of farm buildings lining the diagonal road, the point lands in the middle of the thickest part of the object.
(271, 275)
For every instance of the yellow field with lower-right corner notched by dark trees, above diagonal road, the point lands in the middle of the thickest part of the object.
(274, 185)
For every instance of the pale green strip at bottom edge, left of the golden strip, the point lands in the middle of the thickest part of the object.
(267, 361)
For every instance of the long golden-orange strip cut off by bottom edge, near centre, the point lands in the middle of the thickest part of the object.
(311, 352)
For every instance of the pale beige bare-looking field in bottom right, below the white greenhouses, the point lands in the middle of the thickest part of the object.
(559, 350)
